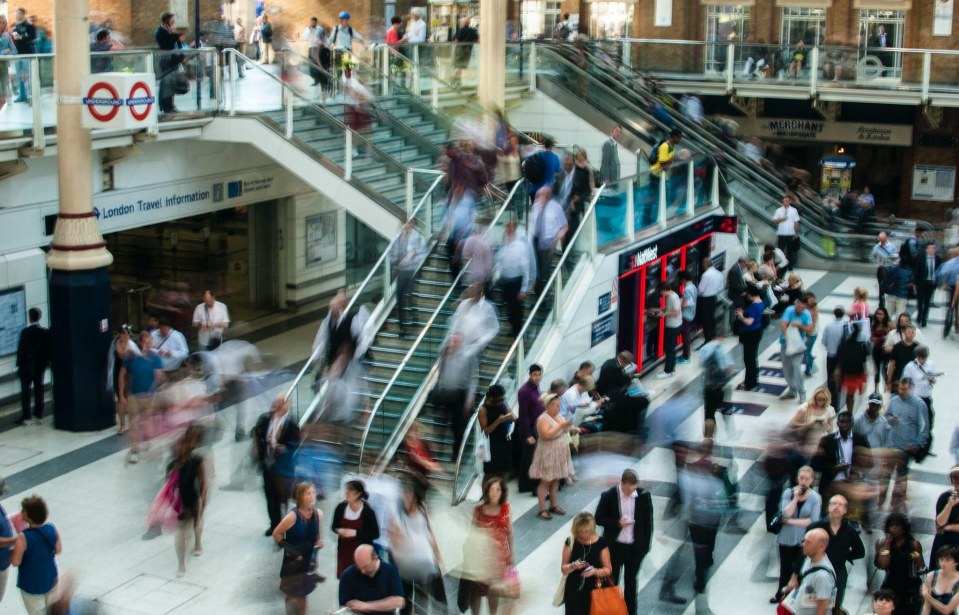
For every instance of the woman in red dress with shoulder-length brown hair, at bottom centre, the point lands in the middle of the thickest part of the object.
(492, 519)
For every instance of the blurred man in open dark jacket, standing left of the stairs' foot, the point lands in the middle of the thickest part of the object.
(276, 436)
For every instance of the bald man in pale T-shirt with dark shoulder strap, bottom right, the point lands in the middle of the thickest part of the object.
(813, 591)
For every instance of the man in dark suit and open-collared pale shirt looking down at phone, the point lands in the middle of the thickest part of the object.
(626, 514)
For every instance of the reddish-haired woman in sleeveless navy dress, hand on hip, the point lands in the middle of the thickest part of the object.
(300, 536)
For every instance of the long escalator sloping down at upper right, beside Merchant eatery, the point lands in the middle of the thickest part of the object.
(589, 87)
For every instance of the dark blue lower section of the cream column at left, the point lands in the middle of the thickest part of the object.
(81, 333)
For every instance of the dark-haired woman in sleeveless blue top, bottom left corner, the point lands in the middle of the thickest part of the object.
(34, 554)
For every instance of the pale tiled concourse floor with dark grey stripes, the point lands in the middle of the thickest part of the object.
(99, 505)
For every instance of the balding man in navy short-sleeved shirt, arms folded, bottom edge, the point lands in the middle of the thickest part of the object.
(371, 585)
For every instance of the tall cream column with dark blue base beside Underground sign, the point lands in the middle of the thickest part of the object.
(79, 284)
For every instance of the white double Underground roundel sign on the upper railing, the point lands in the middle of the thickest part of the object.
(119, 100)
